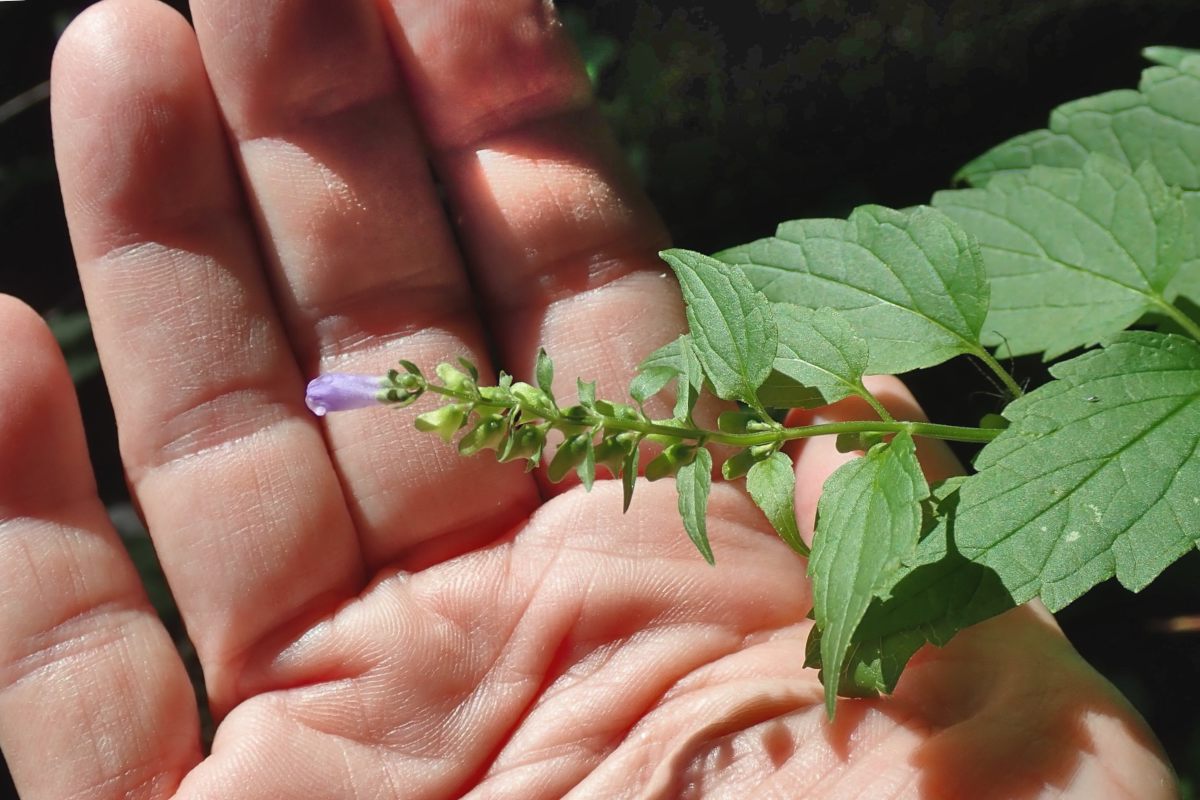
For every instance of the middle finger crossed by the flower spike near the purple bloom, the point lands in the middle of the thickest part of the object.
(364, 261)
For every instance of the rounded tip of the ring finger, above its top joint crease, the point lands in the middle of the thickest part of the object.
(134, 121)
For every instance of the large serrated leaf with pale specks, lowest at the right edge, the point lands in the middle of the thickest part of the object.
(1096, 477)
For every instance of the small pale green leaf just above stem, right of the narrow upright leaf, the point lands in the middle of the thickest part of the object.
(818, 348)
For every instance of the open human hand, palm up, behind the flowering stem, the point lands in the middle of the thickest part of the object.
(251, 206)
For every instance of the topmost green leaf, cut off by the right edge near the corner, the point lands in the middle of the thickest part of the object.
(1160, 124)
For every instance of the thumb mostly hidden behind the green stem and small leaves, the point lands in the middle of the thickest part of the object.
(819, 458)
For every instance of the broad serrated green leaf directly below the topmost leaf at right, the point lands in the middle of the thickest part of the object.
(1073, 256)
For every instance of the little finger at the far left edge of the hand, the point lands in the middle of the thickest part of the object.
(94, 700)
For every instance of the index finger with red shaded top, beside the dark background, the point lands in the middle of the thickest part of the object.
(560, 238)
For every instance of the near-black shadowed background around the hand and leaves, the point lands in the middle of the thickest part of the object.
(739, 116)
